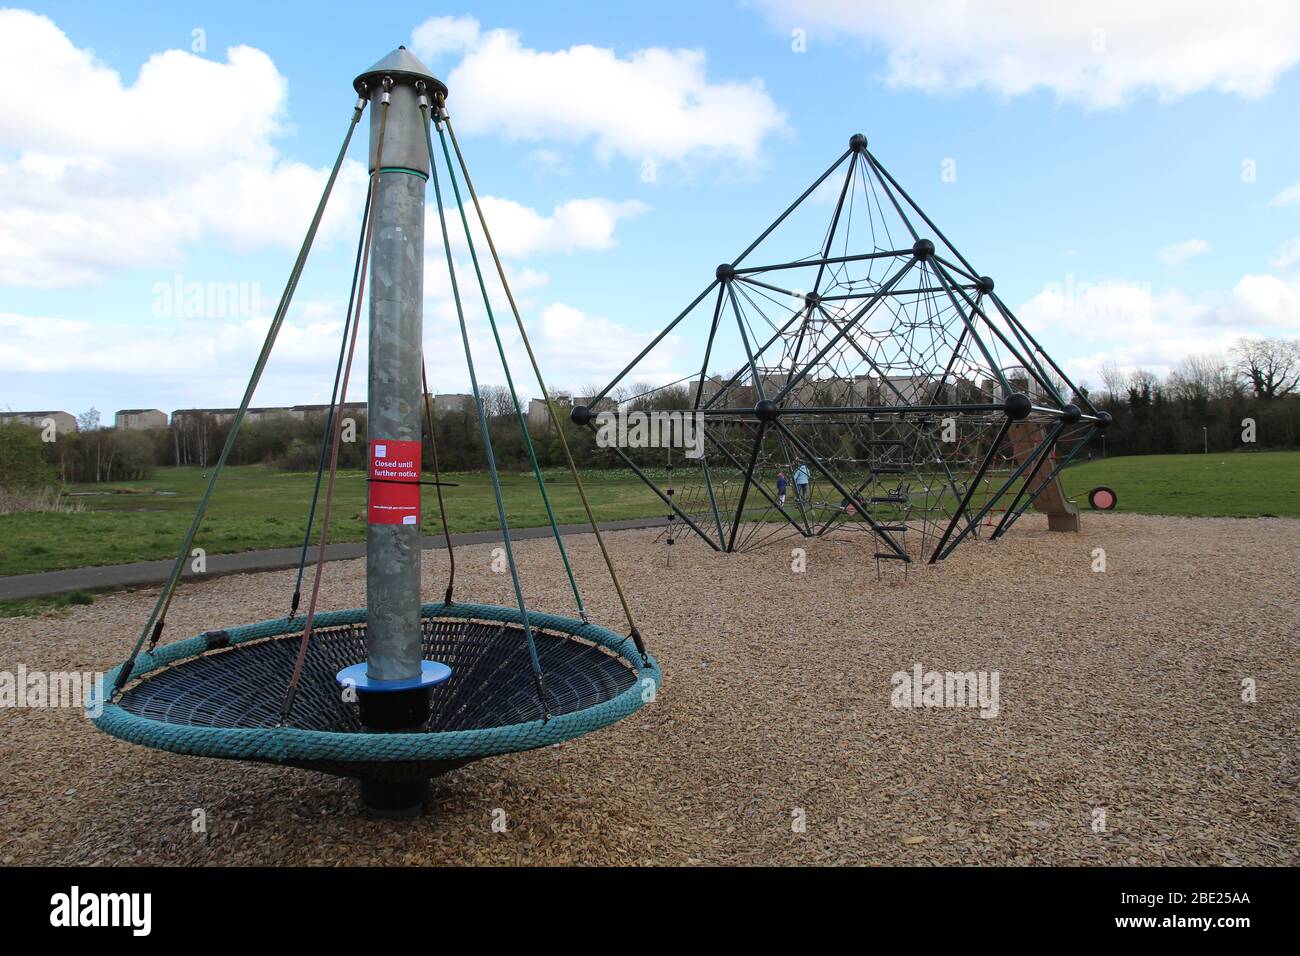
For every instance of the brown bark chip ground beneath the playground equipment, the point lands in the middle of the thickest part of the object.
(774, 739)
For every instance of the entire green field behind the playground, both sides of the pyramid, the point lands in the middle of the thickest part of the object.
(258, 508)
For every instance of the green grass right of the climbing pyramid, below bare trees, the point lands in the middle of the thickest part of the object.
(1245, 485)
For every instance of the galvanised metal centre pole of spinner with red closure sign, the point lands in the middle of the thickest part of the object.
(395, 639)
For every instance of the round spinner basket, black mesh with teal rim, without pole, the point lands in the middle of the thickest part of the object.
(219, 695)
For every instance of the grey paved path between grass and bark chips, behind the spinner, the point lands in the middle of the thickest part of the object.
(21, 587)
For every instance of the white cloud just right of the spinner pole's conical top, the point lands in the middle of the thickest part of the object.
(652, 103)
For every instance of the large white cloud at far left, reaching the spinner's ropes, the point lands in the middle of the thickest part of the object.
(131, 175)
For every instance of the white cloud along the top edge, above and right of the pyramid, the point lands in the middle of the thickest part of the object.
(1100, 54)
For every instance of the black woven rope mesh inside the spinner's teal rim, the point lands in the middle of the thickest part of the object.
(491, 686)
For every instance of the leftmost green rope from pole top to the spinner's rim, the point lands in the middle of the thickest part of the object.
(158, 617)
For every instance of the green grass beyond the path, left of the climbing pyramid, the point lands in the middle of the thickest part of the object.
(258, 508)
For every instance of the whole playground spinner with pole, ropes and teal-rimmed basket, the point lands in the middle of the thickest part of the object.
(402, 690)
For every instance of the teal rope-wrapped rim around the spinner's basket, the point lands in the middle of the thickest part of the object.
(287, 745)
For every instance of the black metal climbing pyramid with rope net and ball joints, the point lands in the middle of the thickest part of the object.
(856, 360)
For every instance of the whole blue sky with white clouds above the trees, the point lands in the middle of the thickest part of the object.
(1128, 174)
